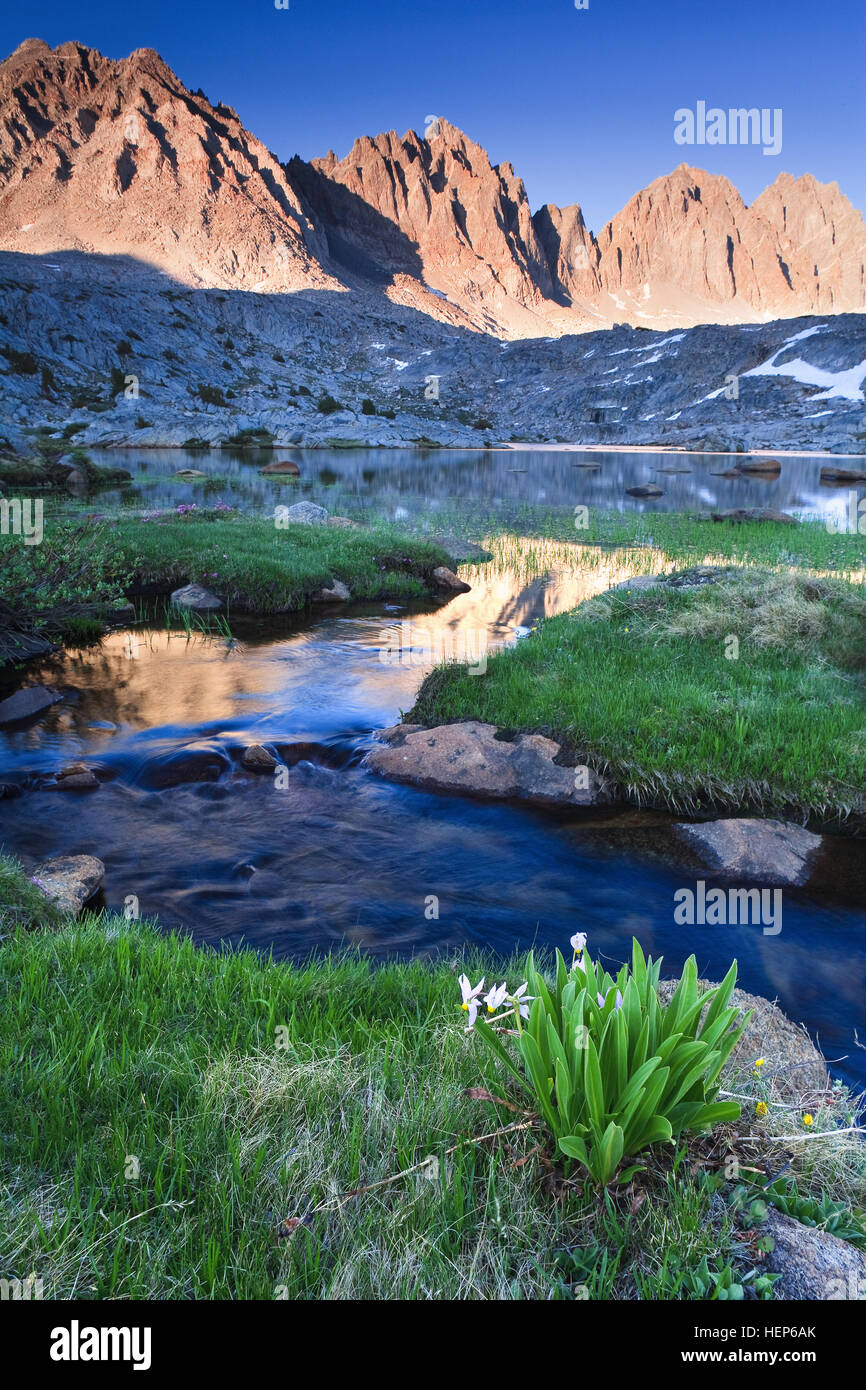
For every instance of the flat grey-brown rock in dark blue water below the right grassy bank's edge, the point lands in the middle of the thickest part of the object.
(771, 853)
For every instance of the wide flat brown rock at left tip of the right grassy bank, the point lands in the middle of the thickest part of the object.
(472, 758)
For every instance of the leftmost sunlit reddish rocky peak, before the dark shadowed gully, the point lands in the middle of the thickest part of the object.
(119, 158)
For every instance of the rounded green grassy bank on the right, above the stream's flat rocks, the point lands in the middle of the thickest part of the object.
(639, 685)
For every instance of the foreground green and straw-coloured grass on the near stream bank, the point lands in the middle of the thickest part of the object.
(122, 1043)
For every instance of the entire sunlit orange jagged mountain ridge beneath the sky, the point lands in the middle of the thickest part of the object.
(117, 156)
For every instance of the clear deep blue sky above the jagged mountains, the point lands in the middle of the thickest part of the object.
(580, 102)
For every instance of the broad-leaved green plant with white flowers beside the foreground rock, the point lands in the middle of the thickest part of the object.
(611, 1068)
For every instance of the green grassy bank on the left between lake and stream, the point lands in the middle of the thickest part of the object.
(80, 573)
